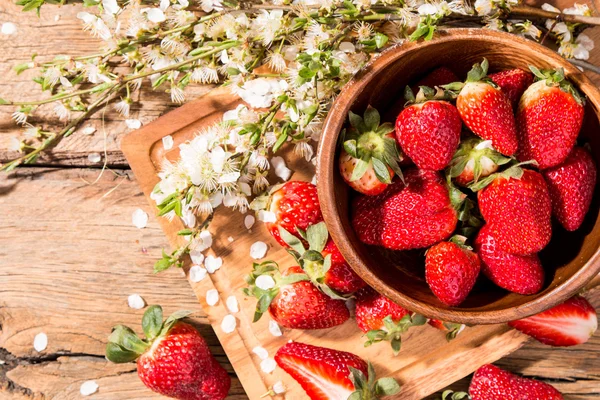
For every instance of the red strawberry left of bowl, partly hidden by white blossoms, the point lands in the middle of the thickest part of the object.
(295, 205)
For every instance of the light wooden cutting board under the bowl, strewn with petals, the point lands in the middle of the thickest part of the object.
(427, 362)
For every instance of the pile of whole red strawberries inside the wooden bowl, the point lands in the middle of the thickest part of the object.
(489, 160)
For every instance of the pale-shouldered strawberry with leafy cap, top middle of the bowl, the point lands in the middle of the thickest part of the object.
(486, 110)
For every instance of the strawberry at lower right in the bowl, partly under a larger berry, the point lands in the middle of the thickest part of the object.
(519, 274)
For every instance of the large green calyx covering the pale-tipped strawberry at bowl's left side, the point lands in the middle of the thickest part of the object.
(371, 144)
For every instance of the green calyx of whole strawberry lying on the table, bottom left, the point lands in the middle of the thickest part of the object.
(125, 346)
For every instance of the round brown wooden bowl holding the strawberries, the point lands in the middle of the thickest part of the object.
(571, 259)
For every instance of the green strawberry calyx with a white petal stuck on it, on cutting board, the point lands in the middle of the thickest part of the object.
(265, 289)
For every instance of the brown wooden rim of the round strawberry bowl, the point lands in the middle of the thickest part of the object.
(326, 170)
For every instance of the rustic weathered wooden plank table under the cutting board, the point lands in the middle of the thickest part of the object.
(70, 257)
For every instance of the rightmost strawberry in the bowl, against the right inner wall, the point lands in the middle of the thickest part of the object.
(571, 187)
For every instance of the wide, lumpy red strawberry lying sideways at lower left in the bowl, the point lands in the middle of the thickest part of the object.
(410, 215)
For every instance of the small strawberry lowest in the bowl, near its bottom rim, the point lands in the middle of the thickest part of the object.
(451, 269)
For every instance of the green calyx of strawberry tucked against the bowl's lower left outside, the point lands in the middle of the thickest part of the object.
(311, 260)
